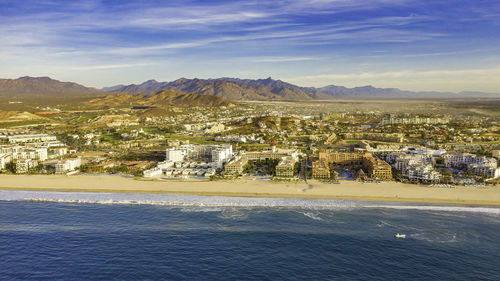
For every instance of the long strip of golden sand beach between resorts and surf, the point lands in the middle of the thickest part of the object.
(385, 191)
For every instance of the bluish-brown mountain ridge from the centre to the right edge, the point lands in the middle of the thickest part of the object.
(269, 89)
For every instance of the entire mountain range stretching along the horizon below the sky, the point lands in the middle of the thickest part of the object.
(232, 89)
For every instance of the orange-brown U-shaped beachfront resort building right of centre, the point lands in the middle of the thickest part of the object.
(374, 168)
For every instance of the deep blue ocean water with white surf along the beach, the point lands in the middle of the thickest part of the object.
(106, 236)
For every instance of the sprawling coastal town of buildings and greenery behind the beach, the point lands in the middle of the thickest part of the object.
(283, 141)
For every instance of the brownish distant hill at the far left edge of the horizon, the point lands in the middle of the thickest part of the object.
(42, 86)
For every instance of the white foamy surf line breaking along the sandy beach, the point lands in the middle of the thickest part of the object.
(214, 203)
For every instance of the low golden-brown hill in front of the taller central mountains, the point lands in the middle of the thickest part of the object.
(163, 99)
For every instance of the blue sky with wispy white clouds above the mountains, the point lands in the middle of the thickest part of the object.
(442, 45)
